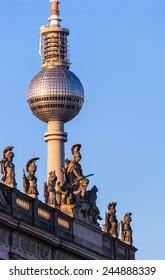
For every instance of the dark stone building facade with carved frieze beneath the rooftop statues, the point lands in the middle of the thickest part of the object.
(30, 229)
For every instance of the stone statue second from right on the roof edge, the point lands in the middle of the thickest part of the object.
(111, 222)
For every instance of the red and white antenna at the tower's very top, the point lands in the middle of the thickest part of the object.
(54, 17)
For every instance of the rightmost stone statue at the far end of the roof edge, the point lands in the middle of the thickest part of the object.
(126, 229)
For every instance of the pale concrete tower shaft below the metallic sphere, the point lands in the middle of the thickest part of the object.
(55, 137)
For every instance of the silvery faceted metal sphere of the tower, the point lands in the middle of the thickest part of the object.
(55, 94)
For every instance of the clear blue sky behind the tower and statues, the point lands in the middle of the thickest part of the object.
(117, 49)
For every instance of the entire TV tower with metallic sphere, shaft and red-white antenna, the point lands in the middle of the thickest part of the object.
(55, 95)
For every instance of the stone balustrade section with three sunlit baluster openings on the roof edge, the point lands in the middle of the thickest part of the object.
(34, 211)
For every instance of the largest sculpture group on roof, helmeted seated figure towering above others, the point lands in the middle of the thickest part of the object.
(72, 196)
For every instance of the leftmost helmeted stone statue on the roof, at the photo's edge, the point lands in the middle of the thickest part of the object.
(8, 168)
